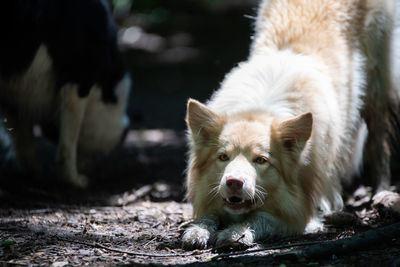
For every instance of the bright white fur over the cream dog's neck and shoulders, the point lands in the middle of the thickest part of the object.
(265, 82)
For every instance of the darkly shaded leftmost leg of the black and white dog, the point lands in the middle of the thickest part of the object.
(25, 147)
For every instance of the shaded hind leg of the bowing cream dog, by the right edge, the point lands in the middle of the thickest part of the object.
(380, 99)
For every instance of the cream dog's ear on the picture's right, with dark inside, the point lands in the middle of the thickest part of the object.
(295, 132)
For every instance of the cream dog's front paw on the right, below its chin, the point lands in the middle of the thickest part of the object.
(235, 236)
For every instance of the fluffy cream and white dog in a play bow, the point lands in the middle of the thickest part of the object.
(314, 101)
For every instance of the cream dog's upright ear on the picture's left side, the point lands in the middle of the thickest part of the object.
(201, 120)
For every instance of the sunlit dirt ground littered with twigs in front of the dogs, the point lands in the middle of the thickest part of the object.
(145, 232)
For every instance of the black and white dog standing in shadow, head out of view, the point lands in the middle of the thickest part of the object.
(60, 65)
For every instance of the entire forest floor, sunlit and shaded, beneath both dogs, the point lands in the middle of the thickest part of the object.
(139, 220)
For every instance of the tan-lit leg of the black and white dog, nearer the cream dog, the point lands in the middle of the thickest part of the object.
(71, 115)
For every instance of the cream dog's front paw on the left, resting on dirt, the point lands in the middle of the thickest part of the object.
(195, 237)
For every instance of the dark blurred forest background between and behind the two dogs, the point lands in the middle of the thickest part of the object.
(173, 50)
